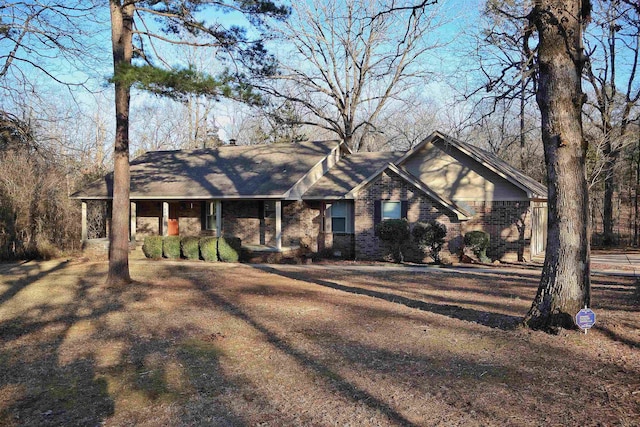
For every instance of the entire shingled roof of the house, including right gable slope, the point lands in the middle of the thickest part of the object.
(271, 171)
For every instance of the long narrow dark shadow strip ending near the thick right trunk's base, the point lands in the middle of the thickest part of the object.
(486, 318)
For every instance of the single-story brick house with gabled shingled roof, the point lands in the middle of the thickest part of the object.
(322, 196)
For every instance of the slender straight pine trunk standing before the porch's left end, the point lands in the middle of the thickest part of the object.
(121, 37)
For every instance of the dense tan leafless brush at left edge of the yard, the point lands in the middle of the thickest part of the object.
(36, 216)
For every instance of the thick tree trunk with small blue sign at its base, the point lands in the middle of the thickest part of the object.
(565, 284)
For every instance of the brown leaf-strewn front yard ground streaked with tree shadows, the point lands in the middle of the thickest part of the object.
(192, 343)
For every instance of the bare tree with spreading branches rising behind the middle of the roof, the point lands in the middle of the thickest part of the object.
(348, 59)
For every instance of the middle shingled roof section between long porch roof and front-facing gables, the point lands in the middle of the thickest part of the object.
(349, 173)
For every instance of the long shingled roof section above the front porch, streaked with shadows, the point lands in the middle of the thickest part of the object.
(224, 172)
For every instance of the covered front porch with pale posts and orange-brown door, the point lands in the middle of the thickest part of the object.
(260, 224)
